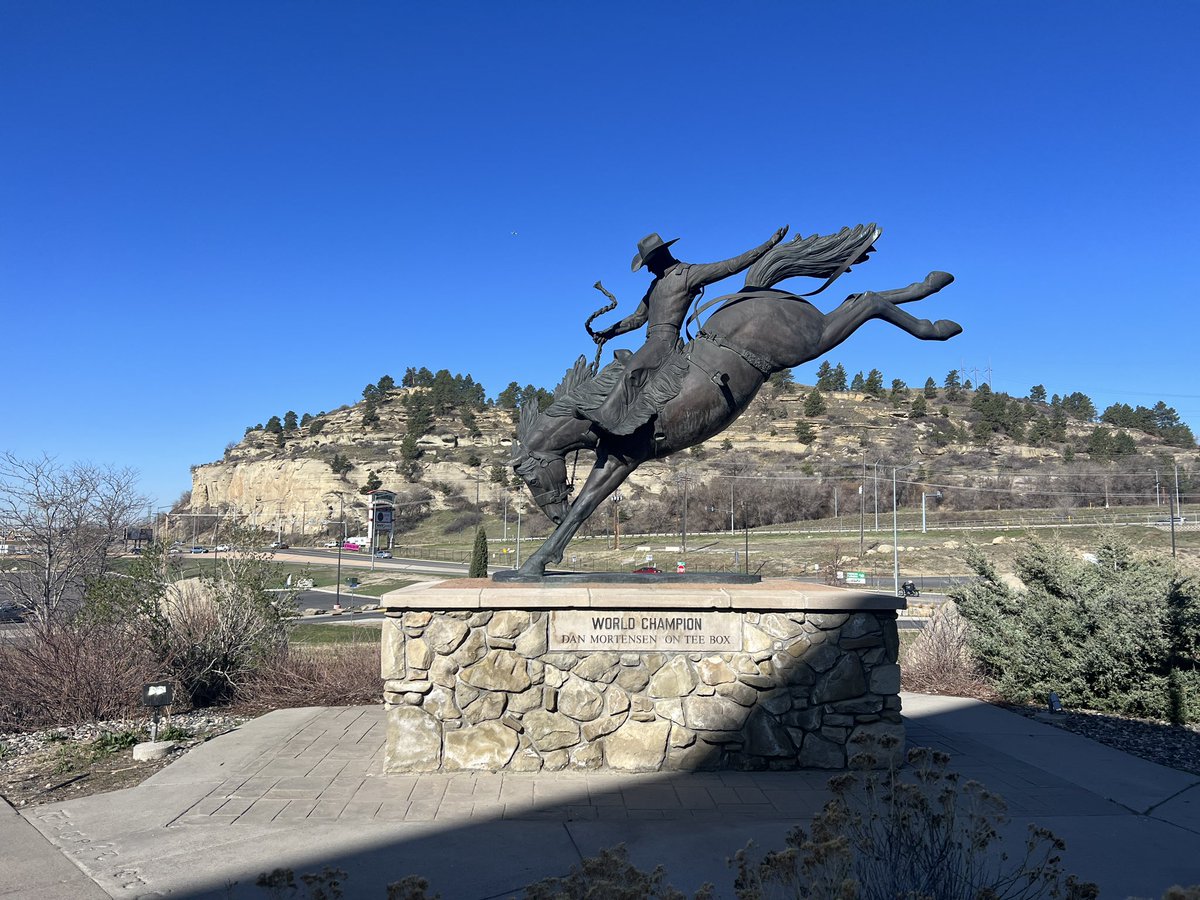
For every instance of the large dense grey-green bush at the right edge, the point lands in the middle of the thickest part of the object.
(1106, 637)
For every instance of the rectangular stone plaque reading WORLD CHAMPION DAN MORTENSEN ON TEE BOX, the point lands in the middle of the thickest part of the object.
(650, 632)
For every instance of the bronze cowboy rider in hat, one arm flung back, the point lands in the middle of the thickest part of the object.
(663, 310)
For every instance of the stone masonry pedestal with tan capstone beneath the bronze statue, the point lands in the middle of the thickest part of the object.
(640, 679)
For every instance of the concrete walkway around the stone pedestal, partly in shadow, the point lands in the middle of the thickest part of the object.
(302, 789)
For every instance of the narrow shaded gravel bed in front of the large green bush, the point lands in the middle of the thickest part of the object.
(1173, 746)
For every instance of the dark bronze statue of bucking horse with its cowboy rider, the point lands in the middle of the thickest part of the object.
(698, 389)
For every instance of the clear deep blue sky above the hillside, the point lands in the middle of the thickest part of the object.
(215, 213)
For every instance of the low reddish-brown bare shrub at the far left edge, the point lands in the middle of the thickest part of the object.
(62, 676)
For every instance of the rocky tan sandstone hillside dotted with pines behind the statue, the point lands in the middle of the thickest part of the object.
(791, 457)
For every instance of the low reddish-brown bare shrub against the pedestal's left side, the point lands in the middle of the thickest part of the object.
(334, 675)
